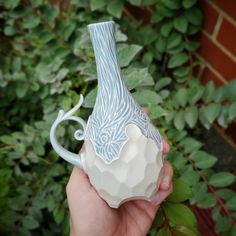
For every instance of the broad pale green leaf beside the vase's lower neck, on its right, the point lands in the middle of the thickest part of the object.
(135, 77)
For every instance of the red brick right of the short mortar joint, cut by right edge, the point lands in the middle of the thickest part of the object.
(227, 36)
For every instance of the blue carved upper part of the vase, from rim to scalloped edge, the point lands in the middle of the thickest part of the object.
(115, 108)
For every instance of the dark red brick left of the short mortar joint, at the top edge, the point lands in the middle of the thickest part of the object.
(210, 16)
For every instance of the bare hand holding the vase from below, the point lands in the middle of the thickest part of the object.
(91, 216)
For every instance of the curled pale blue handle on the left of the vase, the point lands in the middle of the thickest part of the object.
(71, 157)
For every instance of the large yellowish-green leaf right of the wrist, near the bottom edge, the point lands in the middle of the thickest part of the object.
(179, 214)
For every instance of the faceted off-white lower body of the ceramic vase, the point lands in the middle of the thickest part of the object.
(135, 175)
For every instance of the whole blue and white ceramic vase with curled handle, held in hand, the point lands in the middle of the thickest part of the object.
(122, 150)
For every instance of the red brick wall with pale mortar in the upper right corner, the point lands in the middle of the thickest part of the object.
(218, 41)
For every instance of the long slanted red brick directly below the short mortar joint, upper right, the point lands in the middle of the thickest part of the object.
(217, 58)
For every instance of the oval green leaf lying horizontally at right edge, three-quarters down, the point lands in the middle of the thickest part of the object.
(221, 179)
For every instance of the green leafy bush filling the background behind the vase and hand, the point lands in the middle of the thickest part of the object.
(47, 60)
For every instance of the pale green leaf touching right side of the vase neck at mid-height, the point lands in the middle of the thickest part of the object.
(127, 53)
